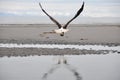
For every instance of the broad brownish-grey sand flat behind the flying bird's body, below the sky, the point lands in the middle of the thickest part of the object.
(77, 33)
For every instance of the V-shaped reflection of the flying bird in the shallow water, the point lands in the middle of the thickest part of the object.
(60, 62)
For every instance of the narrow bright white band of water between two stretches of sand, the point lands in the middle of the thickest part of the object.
(60, 46)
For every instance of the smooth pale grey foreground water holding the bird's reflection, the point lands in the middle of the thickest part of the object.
(68, 67)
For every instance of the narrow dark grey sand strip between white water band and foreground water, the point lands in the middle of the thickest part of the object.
(9, 52)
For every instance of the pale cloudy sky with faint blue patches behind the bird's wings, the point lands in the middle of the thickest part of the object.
(28, 11)
